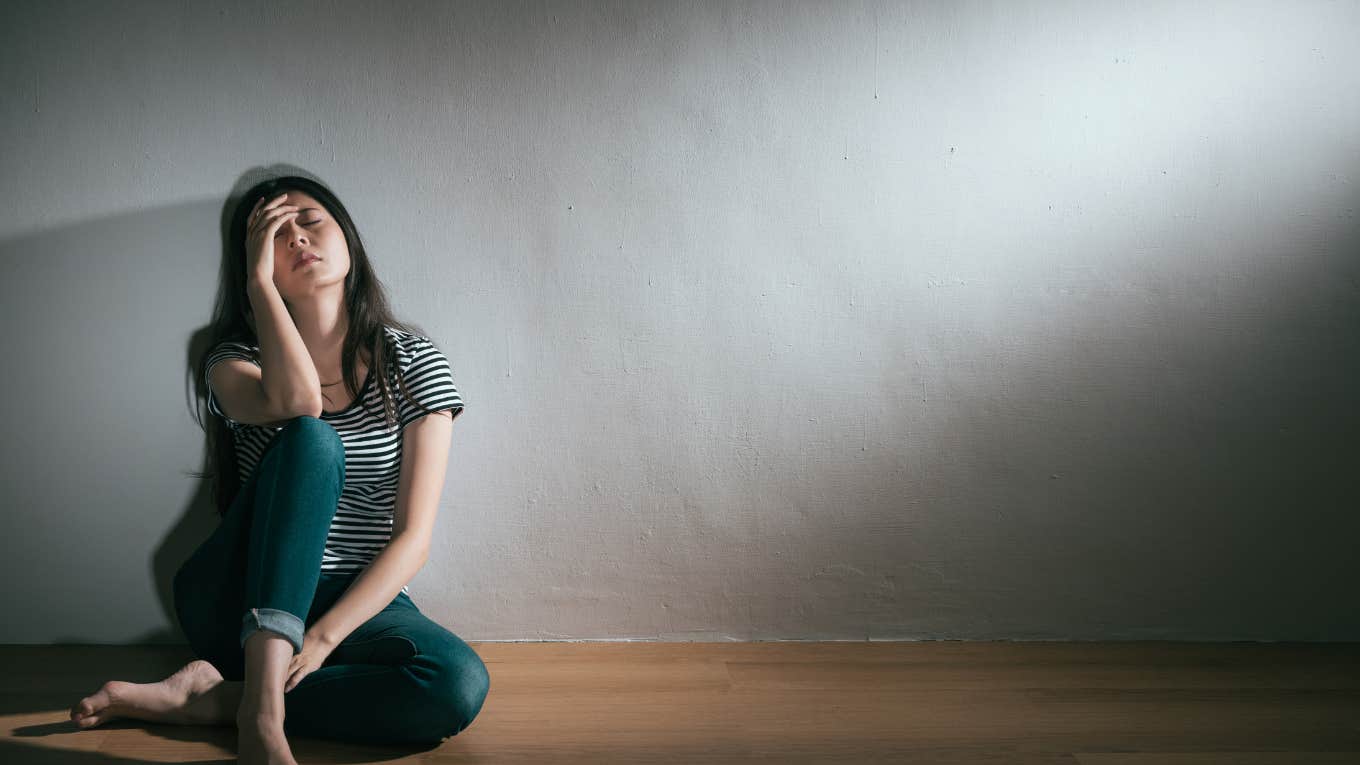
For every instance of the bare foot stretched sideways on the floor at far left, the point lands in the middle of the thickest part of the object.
(183, 699)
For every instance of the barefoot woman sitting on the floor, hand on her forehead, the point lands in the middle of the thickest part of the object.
(297, 605)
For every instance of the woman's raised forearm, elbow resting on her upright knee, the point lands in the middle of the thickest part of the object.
(286, 370)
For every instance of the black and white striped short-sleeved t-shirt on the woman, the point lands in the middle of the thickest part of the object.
(362, 525)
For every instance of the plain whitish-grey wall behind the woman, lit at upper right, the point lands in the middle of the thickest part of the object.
(773, 321)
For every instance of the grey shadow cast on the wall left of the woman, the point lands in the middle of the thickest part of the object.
(111, 297)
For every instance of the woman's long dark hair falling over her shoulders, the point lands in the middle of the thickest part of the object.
(233, 319)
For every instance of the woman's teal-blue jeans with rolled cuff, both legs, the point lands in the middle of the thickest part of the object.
(398, 679)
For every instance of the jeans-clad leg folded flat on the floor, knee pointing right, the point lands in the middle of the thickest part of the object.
(399, 679)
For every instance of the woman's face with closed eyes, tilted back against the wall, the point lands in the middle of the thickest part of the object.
(312, 232)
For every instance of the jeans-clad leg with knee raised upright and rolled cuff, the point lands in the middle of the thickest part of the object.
(260, 567)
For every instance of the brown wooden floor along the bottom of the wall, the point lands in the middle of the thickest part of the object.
(798, 703)
